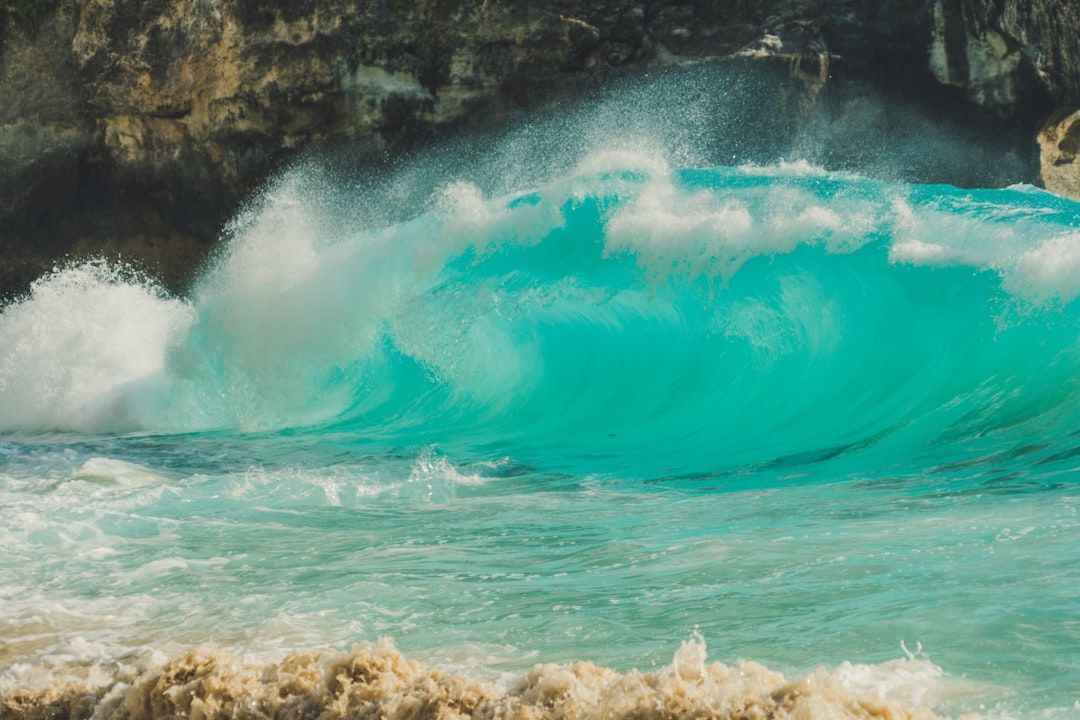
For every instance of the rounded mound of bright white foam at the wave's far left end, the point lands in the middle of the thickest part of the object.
(87, 351)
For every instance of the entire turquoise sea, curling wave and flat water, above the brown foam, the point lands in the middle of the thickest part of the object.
(814, 418)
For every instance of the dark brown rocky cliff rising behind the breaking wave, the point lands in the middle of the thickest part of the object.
(136, 127)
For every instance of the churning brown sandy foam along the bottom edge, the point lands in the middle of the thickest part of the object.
(375, 682)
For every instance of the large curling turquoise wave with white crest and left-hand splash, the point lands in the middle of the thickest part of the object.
(683, 321)
